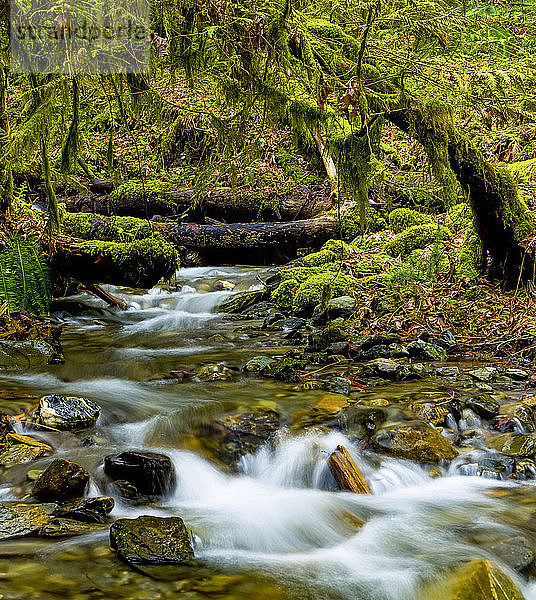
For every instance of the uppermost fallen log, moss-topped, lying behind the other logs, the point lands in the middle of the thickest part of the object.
(243, 204)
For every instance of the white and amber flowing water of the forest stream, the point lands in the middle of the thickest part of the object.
(274, 530)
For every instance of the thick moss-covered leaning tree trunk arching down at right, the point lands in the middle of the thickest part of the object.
(502, 217)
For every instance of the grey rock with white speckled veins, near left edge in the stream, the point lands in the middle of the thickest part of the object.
(66, 413)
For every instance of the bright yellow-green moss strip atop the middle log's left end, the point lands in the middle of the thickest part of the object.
(112, 229)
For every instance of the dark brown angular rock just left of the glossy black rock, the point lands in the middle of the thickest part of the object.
(61, 480)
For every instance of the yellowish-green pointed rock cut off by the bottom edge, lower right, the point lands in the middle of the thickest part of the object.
(477, 580)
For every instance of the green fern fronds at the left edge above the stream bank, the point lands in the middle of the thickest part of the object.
(24, 277)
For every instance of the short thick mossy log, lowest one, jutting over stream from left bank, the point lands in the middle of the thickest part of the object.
(140, 264)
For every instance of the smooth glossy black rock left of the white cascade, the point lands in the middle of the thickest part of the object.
(151, 473)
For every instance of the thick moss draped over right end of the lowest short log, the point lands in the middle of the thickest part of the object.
(141, 259)
